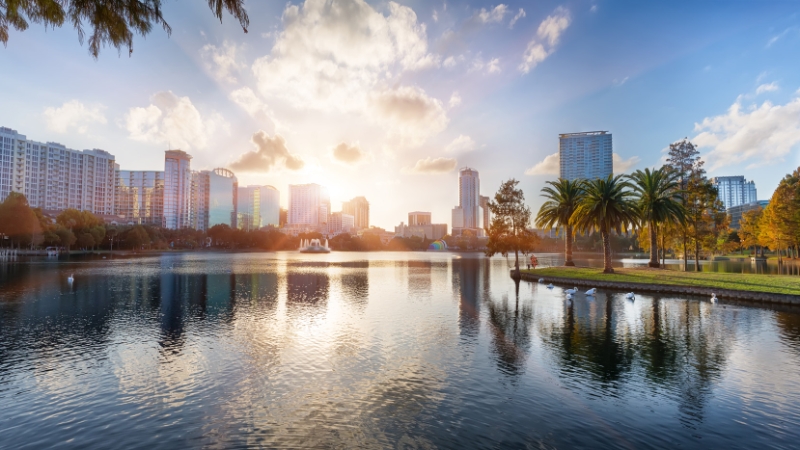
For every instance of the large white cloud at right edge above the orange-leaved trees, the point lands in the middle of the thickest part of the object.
(757, 134)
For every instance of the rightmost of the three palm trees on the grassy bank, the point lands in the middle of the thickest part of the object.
(659, 202)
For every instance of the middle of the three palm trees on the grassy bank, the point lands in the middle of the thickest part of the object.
(606, 205)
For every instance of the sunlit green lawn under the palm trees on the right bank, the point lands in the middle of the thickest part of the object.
(775, 284)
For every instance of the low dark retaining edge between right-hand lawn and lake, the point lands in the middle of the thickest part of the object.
(758, 297)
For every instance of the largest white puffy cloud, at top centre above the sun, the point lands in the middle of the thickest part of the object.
(330, 56)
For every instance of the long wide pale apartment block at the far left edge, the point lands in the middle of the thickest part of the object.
(52, 176)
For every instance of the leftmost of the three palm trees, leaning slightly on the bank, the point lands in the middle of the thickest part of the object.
(562, 197)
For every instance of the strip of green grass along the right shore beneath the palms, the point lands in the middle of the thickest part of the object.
(783, 289)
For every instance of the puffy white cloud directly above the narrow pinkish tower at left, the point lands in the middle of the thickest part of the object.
(173, 120)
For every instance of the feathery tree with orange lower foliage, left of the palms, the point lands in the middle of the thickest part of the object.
(510, 220)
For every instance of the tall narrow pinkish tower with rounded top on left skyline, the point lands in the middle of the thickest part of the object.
(177, 189)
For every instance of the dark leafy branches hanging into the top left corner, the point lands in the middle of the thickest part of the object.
(112, 22)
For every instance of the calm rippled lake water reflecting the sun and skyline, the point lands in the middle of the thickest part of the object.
(378, 350)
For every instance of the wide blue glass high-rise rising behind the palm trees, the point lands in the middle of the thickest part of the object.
(585, 155)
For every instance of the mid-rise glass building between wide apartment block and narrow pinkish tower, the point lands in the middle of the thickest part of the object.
(139, 197)
